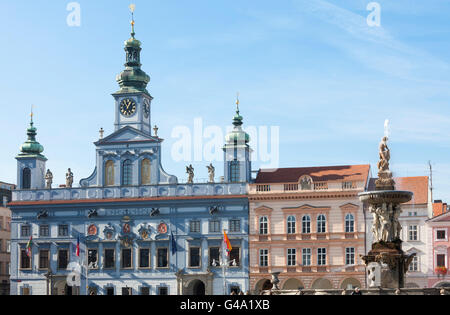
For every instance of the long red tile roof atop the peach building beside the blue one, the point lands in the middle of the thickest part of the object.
(318, 174)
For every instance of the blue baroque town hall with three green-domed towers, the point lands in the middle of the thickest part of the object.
(130, 227)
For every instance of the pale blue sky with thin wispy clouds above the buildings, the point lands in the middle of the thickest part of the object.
(312, 67)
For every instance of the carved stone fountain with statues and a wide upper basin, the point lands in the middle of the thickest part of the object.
(386, 263)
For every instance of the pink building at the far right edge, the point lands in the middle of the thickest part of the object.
(438, 230)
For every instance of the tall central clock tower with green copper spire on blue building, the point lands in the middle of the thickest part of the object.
(133, 101)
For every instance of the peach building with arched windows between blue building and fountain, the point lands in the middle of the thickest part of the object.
(322, 254)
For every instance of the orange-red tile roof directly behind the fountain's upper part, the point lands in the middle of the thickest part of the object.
(418, 185)
